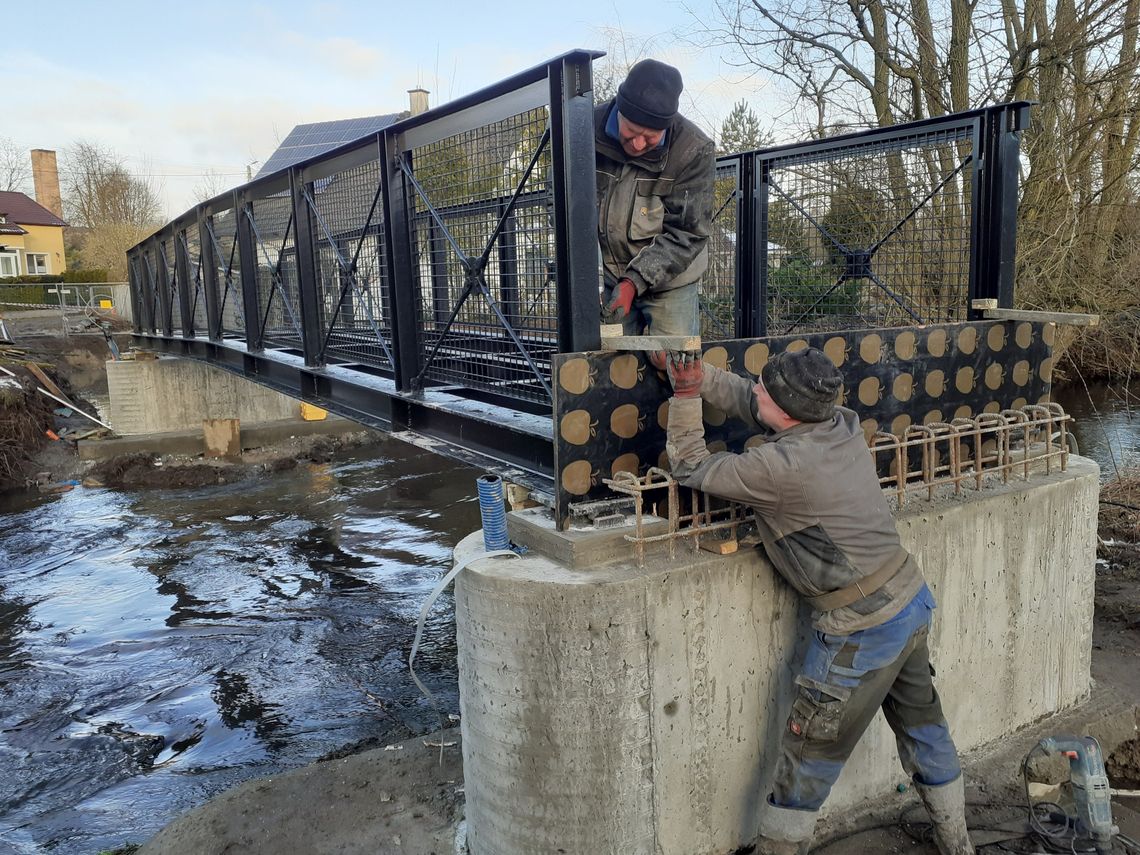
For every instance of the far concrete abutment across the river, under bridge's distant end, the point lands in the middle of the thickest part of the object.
(154, 396)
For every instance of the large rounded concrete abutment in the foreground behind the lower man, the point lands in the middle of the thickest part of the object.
(632, 711)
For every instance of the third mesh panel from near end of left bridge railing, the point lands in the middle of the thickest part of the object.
(279, 294)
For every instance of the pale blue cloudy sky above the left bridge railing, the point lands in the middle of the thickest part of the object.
(192, 95)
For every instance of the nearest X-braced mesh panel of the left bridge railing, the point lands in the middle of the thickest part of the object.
(484, 258)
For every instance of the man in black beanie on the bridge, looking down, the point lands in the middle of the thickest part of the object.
(655, 205)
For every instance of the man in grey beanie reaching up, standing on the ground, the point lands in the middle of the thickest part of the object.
(828, 531)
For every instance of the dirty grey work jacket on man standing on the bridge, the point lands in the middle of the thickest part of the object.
(655, 211)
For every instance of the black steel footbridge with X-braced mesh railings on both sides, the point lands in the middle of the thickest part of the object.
(422, 279)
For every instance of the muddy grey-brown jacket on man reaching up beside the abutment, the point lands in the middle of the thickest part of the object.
(824, 518)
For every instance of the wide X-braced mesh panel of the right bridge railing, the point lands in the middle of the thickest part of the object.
(874, 234)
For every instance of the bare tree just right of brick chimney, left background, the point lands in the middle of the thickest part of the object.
(115, 208)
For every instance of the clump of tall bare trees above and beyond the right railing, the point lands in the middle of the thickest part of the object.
(873, 63)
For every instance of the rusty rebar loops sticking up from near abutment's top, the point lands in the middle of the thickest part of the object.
(948, 455)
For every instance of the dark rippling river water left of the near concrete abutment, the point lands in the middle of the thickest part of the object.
(160, 647)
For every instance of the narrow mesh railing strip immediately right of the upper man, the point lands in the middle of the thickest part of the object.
(719, 286)
